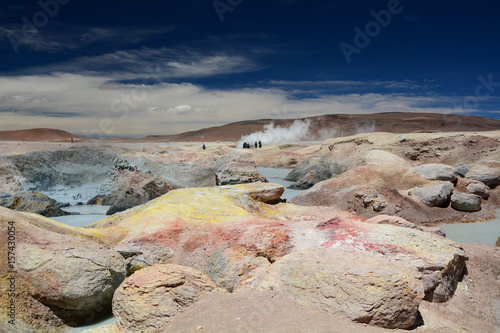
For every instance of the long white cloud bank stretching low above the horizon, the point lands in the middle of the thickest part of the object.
(89, 104)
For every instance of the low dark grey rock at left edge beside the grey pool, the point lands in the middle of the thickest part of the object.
(32, 202)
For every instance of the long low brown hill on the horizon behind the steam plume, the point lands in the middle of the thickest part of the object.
(344, 125)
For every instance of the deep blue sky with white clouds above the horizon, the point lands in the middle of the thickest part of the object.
(132, 68)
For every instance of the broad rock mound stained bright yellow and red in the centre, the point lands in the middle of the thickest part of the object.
(236, 239)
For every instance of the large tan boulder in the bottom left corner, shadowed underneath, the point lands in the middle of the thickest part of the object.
(62, 277)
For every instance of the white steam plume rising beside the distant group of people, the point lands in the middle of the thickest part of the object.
(298, 131)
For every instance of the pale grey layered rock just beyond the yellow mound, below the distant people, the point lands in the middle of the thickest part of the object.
(236, 168)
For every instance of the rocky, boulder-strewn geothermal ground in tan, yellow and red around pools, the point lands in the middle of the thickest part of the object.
(198, 240)
